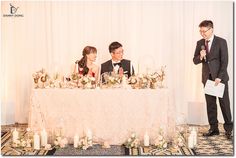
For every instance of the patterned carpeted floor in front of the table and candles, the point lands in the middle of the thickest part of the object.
(216, 145)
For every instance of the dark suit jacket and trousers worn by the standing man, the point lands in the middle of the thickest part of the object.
(215, 66)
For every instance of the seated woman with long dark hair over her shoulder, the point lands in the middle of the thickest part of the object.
(86, 66)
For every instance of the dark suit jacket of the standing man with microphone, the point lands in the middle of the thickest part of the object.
(216, 60)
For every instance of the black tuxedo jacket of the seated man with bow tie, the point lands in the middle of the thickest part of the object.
(125, 64)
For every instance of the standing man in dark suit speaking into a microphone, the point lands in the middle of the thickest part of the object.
(212, 52)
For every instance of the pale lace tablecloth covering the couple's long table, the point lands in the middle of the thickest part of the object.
(111, 114)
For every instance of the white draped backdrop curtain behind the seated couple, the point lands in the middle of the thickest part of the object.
(153, 33)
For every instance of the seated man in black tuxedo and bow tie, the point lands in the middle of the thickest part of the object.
(117, 64)
